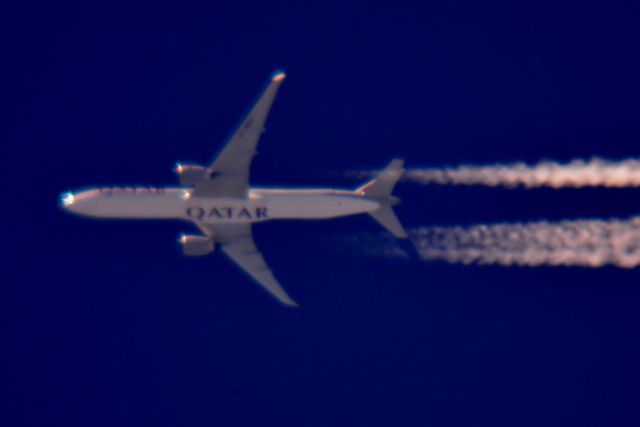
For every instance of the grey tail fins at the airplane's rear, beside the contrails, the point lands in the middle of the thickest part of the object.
(380, 188)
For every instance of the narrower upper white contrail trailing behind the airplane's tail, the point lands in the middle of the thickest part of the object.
(595, 172)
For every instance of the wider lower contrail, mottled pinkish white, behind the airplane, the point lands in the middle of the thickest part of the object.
(585, 243)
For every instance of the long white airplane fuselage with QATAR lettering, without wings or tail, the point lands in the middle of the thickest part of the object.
(177, 203)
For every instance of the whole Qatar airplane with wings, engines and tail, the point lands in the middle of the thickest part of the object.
(218, 200)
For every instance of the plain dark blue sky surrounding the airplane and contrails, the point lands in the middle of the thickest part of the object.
(106, 324)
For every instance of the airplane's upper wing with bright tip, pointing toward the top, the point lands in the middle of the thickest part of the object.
(228, 174)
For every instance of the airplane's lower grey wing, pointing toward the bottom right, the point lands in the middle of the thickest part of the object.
(237, 243)
